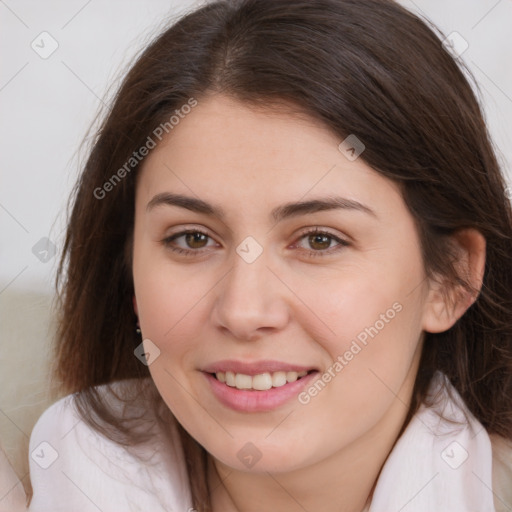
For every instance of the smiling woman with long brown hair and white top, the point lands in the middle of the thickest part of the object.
(286, 282)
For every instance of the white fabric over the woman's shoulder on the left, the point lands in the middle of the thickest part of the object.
(75, 467)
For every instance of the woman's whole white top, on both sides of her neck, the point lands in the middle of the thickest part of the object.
(434, 467)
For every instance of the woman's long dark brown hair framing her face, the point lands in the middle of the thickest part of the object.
(364, 67)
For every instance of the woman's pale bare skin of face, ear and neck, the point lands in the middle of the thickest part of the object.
(287, 305)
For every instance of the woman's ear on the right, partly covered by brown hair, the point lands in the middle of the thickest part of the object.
(447, 302)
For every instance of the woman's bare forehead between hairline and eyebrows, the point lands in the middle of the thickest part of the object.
(224, 148)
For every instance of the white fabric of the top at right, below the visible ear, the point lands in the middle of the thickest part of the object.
(441, 462)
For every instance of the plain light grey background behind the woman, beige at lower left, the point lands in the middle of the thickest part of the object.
(46, 107)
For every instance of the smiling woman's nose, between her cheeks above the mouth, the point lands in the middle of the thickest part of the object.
(251, 301)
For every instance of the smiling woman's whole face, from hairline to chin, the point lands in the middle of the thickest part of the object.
(254, 292)
